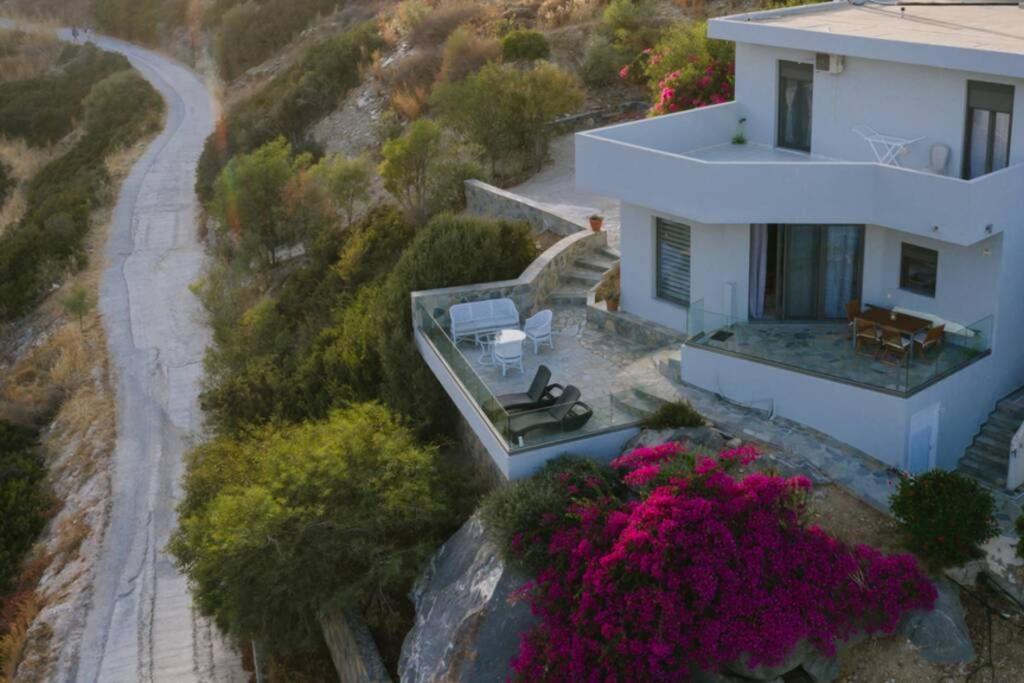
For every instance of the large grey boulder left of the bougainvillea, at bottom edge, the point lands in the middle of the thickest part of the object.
(466, 628)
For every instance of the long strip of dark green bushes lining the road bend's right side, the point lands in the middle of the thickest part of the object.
(290, 103)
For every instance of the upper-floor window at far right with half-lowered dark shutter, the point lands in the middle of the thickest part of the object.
(990, 117)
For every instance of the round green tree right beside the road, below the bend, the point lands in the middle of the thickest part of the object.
(250, 201)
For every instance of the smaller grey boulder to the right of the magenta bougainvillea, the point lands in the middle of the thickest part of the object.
(942, 634)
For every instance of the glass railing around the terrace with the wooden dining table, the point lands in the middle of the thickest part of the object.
(830, 351)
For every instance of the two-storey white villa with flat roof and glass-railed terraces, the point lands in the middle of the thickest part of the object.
(843, 245)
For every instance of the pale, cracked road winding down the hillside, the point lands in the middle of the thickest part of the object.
(142, 625)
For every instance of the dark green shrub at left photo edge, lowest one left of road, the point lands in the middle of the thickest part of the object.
(24, 501)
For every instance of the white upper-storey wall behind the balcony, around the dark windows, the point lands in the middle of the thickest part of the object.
(894, 99)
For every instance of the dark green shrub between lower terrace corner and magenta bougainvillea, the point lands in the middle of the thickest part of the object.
(519, 517)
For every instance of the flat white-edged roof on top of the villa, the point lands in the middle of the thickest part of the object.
(986, 38)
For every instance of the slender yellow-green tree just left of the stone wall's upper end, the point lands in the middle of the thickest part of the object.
(424, 172)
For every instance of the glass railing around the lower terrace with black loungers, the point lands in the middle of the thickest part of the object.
(522, 431)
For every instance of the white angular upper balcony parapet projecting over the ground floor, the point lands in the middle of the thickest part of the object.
(685, 165)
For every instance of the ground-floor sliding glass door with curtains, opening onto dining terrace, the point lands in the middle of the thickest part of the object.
(812, 272)
